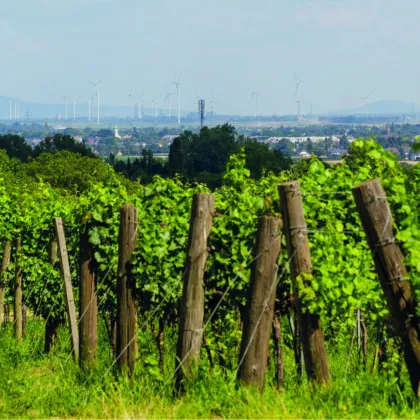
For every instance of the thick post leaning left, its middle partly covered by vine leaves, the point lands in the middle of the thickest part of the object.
(315, 356)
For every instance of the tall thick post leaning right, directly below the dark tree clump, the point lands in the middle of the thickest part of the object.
(190, 331)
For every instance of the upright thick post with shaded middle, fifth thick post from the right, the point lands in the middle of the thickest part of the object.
(126, 290)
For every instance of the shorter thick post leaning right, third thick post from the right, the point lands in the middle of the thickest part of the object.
(259, 311)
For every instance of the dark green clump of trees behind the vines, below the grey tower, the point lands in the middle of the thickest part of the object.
(202, 157)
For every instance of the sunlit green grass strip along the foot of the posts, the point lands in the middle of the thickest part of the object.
(38, 386)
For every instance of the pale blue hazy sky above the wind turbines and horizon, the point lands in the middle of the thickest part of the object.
(223, 49)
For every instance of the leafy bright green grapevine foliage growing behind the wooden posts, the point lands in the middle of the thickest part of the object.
(344, 278)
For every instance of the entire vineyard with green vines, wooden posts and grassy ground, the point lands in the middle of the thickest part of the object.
(288, 296)
